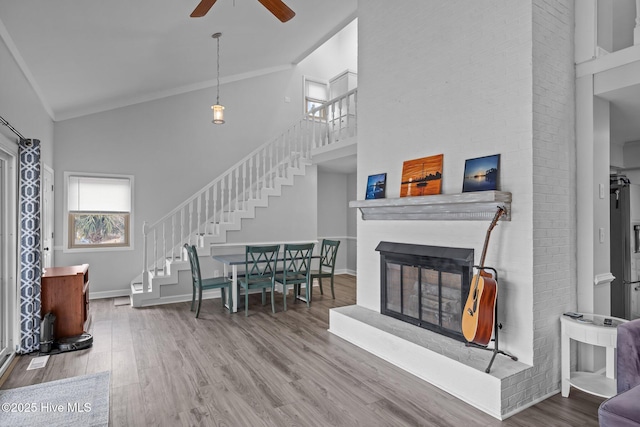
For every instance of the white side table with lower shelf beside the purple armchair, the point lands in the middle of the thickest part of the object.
(589, 329)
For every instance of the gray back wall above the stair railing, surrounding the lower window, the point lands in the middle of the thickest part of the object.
(173, 150)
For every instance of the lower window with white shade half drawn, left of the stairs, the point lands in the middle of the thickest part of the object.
(98, 210)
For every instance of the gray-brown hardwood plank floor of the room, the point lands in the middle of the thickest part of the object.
(168, 368)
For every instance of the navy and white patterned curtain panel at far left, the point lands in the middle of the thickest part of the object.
(29, 251)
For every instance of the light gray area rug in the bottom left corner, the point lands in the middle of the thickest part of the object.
(78, 401)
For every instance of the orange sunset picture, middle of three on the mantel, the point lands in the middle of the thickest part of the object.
(422, 177)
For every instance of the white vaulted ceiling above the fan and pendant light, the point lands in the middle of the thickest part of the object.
(84, 56)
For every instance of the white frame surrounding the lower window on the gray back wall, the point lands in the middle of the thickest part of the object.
(66, 246)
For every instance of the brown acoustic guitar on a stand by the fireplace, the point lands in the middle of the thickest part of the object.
(478, 317)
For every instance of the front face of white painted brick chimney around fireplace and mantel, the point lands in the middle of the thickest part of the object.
(450, 87)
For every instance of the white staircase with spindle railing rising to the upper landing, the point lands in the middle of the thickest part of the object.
(206, 217)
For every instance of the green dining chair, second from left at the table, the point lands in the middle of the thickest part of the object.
(260, 271)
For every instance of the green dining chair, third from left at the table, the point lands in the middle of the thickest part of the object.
(296, 270)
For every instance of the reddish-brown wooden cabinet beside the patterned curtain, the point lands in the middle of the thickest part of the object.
(65, 293)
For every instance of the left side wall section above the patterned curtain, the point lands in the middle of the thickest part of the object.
(21, 107)
